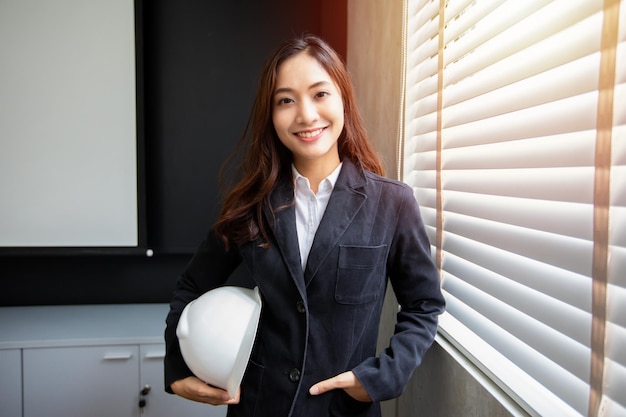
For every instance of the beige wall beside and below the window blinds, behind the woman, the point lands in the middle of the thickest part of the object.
(440, 387)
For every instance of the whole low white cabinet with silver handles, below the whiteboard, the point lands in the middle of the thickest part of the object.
(93, 361)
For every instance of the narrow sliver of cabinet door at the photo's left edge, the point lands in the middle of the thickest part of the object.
(10, 383)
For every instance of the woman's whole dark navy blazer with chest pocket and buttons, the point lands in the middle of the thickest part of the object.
(324, 320)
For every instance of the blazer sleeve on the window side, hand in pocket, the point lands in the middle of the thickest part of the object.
(415, 280)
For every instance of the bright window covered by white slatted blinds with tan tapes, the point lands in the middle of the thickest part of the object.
(515, 144)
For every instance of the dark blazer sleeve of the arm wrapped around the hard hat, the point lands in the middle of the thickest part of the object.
(209, 268)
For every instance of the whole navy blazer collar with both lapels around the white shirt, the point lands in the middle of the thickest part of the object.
(345, 202)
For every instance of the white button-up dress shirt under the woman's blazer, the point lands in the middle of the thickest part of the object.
(310, 208)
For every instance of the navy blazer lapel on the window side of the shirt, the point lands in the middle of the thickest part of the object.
(343, 206)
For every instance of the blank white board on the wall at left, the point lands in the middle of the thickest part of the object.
(68, 147)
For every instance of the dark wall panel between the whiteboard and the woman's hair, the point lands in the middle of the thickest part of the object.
(202, 63)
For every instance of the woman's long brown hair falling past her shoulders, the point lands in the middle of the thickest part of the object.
(266, 160)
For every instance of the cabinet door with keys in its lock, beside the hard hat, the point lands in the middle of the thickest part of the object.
(158, 402)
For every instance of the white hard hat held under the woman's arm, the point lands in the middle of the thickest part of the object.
(216, 333)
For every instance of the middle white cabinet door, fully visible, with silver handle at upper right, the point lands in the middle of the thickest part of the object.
(93, 381)
